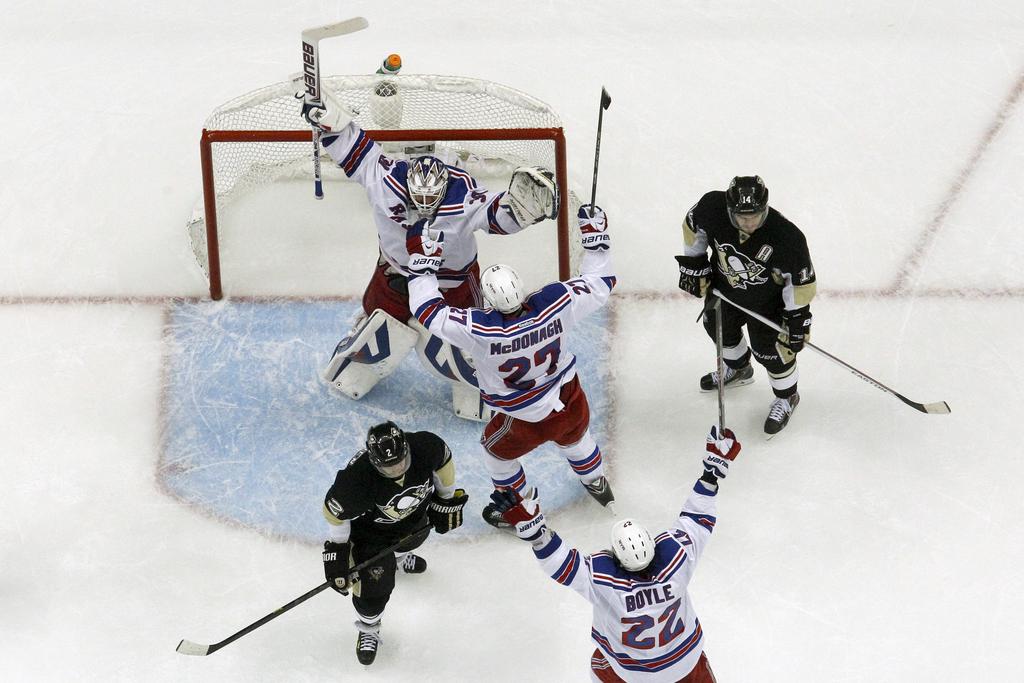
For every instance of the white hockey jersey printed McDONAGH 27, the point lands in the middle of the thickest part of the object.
(521, 362)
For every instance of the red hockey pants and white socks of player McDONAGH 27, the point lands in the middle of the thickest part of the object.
(506, 440)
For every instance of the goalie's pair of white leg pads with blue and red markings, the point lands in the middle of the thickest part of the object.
(379, 343)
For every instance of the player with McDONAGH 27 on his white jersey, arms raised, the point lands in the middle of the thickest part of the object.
(525, 374)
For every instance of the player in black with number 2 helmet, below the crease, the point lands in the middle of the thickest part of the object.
(402, 485)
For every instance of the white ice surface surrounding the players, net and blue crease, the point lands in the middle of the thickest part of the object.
(867, 543)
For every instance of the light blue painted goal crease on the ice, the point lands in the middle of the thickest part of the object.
(253, 436)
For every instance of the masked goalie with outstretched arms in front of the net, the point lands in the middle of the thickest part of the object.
(403, 195)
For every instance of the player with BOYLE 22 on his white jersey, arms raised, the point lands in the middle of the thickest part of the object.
(644, 621)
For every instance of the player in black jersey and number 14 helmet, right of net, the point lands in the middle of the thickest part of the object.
(760, 261)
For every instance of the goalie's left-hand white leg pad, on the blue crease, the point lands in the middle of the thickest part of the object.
(369, 354)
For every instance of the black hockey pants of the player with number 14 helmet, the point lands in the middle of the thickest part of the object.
(737, 354)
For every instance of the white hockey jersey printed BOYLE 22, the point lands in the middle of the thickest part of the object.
(644, 623)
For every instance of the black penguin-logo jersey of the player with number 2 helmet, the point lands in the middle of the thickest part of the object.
(390, 508)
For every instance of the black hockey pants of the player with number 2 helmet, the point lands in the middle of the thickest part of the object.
(377, 581)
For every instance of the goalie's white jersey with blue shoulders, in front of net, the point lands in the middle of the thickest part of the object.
(465, 208)
